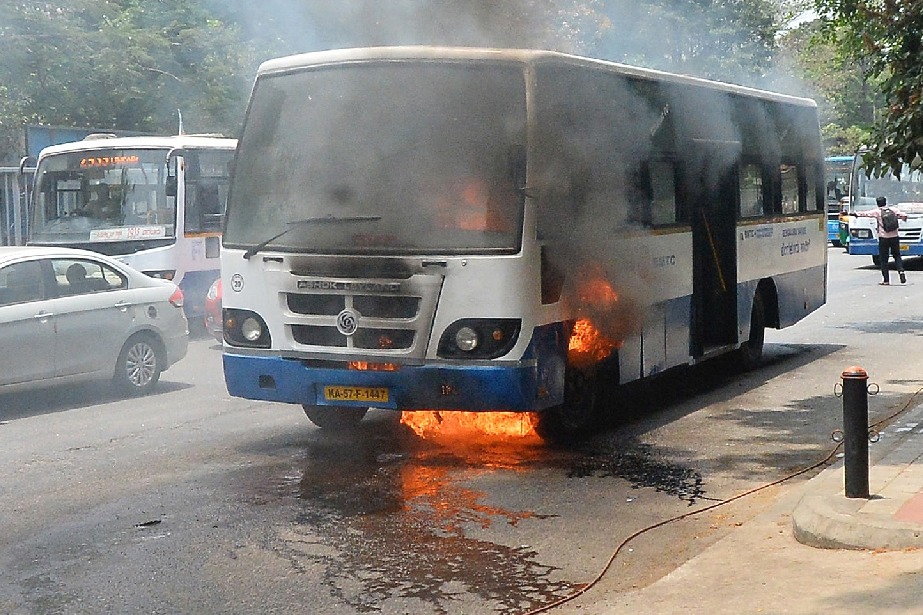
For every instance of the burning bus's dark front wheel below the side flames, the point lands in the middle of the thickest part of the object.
(577, 414)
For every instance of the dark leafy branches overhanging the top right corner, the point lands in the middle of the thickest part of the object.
(886, 37)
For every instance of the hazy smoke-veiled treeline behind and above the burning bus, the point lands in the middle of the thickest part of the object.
(132, 64)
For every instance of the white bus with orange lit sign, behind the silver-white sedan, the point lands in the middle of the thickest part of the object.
(155, 202)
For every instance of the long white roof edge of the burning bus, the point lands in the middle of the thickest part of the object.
(521, 56)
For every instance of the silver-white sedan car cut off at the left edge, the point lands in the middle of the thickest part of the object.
(76, 315)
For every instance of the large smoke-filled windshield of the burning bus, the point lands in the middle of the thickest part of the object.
(405, 157)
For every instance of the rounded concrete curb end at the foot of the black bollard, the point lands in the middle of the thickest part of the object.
(836, 522)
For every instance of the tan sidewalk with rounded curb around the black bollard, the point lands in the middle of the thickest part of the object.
(813, 552)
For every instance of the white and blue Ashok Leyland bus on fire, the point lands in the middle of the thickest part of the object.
(472, 230)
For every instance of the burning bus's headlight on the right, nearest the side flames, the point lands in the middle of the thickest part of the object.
(479, 338)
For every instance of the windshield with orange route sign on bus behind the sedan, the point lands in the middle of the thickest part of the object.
(103, 195)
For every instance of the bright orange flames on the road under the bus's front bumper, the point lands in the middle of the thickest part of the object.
(431, 424)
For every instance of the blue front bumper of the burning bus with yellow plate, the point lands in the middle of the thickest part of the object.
(510, 387)
